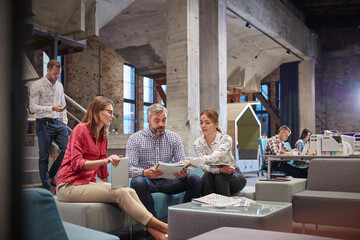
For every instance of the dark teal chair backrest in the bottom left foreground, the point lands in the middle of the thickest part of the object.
(42, 218)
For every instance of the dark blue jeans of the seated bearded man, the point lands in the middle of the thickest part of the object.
(144, 187)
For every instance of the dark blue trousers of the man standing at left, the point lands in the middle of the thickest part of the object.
(48, 130)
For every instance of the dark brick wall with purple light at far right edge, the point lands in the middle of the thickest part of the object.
(338, 90)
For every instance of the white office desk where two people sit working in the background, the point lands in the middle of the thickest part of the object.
(301, 158)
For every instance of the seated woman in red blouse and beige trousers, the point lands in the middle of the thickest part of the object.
(86, 158)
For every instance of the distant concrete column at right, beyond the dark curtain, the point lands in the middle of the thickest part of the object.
(307, 95)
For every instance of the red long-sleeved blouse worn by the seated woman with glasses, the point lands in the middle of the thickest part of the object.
(81, 148)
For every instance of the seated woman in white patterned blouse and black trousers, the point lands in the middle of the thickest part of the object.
(222, 176)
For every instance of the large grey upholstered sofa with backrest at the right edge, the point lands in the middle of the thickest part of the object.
(332, 195)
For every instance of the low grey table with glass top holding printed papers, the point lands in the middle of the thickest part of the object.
(190, 219)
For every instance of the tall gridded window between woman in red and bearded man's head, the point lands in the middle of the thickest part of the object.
(129, 100)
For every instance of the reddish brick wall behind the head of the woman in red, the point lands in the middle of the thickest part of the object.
(97, 70)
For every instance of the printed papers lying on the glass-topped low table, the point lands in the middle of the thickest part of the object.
(220, 201)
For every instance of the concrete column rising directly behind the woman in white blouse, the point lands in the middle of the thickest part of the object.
(213, 56)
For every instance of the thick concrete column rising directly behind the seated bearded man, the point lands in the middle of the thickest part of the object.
(182, 70)
